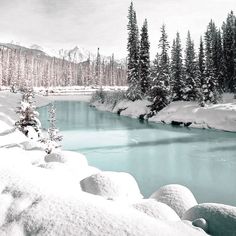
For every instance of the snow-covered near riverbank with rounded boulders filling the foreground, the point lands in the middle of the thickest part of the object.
(59, 194)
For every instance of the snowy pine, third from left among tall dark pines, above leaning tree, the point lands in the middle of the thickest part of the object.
(160, 90)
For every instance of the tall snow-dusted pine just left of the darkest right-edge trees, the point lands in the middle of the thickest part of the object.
(210, 88)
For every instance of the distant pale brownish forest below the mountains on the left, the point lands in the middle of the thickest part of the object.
(20, 67)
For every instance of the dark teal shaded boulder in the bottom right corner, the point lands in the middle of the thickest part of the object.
(221, 219)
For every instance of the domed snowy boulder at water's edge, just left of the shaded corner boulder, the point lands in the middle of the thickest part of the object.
(176, 196)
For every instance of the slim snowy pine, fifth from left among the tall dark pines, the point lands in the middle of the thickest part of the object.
(192, 83)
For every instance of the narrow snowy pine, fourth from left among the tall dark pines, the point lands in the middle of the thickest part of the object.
(176, 65)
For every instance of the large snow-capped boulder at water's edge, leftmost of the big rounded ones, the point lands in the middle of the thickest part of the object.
(112, 185)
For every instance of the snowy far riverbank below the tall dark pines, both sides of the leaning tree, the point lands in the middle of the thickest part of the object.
(221, 116)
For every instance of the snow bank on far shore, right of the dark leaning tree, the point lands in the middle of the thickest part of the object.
(219, 116)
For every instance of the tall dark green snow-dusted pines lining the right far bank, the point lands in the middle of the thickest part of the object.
(182, 75)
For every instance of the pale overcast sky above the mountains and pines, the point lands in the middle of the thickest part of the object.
(102, 23)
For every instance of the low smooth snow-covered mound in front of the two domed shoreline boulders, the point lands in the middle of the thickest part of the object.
(156, 209)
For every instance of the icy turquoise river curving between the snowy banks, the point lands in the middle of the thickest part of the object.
(155, 154)
